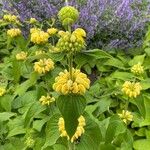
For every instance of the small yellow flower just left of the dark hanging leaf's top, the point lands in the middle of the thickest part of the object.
(46, 100)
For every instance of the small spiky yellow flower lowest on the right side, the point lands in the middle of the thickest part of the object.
(126, 116)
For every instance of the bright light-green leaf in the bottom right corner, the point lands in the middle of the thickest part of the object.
(141, 144)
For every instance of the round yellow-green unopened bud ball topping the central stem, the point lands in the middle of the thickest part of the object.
(68, 15)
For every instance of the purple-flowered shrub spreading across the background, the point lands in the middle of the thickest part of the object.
(116, 24)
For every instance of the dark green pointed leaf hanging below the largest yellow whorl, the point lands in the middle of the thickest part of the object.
(71, 107)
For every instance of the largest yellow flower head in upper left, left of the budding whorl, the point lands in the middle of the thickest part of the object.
(39, 37)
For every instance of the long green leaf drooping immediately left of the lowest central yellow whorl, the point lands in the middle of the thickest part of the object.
(52, 132)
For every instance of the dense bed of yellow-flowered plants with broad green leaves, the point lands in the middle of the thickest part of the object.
(58, 94)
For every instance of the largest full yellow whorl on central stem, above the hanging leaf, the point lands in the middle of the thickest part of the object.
(77, 85)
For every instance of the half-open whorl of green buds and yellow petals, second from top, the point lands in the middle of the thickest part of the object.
(71, 41)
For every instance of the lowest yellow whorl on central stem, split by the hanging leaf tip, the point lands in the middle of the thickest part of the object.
(79, 131)
